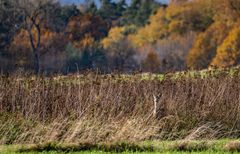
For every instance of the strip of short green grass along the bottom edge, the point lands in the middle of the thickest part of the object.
(174, 147)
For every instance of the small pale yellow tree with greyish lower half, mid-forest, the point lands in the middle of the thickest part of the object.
(118, 49)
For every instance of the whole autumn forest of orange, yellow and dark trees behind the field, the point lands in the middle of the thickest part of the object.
(147, 36)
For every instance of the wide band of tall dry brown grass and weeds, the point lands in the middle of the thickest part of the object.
(98, 108)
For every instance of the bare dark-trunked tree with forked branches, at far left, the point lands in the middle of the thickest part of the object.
(34, 13)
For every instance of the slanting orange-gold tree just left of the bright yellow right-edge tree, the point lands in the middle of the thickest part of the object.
(205, 46)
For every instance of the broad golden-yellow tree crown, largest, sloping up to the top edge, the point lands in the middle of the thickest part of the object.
(177, 18)
